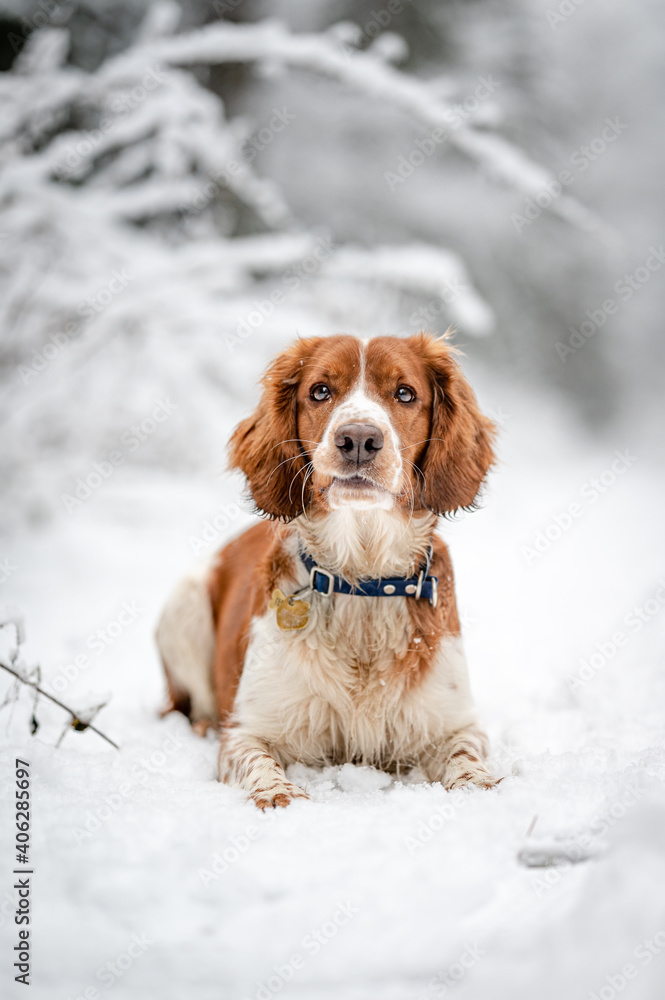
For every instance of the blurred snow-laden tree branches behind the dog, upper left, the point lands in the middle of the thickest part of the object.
(142, 252)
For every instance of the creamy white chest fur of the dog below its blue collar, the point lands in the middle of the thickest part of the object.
(335, 692)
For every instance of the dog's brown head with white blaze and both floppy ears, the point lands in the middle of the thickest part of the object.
(383, 423)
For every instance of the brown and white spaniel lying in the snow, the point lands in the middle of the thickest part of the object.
(354, 450)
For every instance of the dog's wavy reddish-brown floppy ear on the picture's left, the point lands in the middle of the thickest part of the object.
(265, 446)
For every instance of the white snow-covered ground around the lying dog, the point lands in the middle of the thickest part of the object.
(375, 888)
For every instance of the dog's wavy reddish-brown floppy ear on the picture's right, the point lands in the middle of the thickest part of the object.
(459, 453)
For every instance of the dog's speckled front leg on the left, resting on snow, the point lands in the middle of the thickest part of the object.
(246, 761)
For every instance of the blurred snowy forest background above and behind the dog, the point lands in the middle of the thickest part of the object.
(150, 199)
